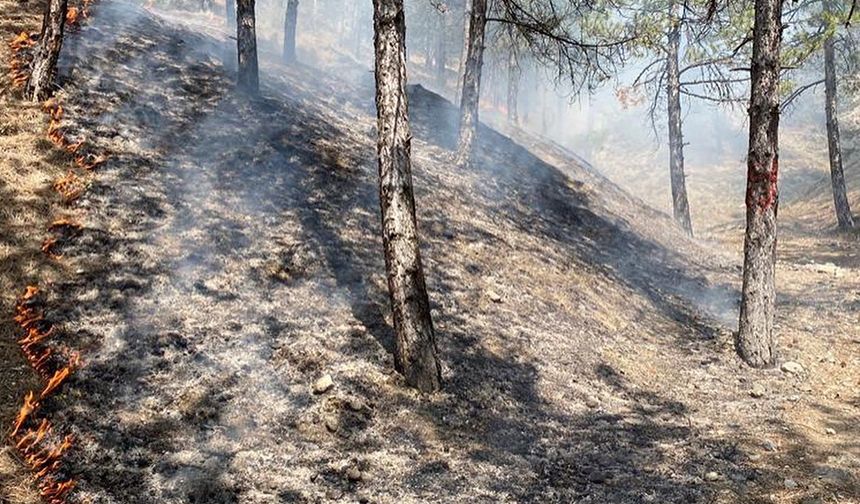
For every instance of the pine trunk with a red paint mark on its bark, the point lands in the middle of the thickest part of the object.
(756, 341)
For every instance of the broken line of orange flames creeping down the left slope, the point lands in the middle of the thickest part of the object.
(44, 461)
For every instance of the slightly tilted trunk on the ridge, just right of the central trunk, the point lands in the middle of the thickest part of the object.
(471, 94)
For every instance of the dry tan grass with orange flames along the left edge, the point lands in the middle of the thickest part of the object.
(24, 173)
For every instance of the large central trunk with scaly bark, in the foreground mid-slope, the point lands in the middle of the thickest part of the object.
(416, 354)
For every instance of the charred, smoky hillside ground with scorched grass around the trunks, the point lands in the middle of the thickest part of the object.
(229, 258)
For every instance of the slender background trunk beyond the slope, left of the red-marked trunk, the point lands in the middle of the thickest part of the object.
(680, 204)
